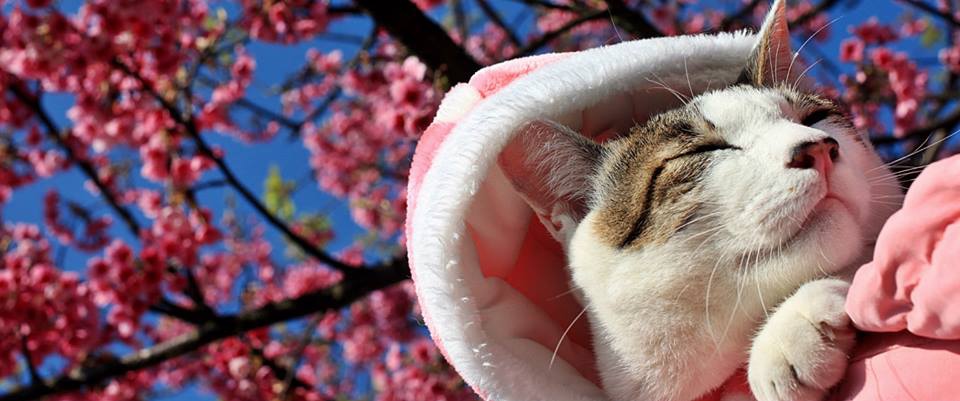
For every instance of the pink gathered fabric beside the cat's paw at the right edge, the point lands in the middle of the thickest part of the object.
(907, 300)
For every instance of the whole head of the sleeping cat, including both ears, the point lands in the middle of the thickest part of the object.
(761, 170)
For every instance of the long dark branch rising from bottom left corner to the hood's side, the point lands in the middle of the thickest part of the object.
(333, 298)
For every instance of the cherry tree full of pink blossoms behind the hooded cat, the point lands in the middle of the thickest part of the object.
(175, 293)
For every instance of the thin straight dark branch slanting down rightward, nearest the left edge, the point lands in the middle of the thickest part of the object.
(55, 134)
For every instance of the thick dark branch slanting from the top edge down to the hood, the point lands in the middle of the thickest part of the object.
(423, 37)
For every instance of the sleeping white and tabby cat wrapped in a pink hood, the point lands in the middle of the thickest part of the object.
(717, 235)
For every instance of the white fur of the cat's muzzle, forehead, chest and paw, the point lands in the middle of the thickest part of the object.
(673, 321)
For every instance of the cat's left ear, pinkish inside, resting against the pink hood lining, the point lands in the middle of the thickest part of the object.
(550, 165)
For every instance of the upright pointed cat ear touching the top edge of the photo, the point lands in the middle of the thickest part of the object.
(771, 59)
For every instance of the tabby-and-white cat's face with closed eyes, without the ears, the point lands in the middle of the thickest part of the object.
(747, 170)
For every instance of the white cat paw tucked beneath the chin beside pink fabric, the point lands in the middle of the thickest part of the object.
(801, 351)
